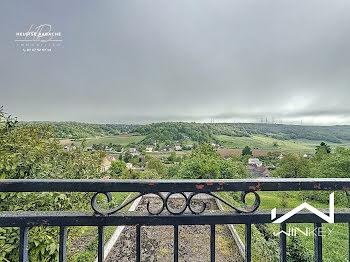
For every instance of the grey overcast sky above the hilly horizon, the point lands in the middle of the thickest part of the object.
(190, 60)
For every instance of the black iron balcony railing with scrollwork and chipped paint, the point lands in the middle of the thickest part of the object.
(166, 215)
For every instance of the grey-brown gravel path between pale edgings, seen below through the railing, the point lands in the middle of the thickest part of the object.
(157, 242)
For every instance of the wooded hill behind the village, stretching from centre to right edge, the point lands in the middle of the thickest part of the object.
(206, 132)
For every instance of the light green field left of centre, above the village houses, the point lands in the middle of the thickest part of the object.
(118, 140)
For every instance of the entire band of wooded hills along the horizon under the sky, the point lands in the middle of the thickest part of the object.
(200, 132)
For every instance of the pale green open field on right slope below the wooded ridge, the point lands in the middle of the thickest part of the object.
(263, 142)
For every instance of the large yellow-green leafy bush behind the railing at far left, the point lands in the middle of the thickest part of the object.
(29, 152)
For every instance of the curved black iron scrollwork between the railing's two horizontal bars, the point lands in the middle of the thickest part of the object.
(188, 199)
